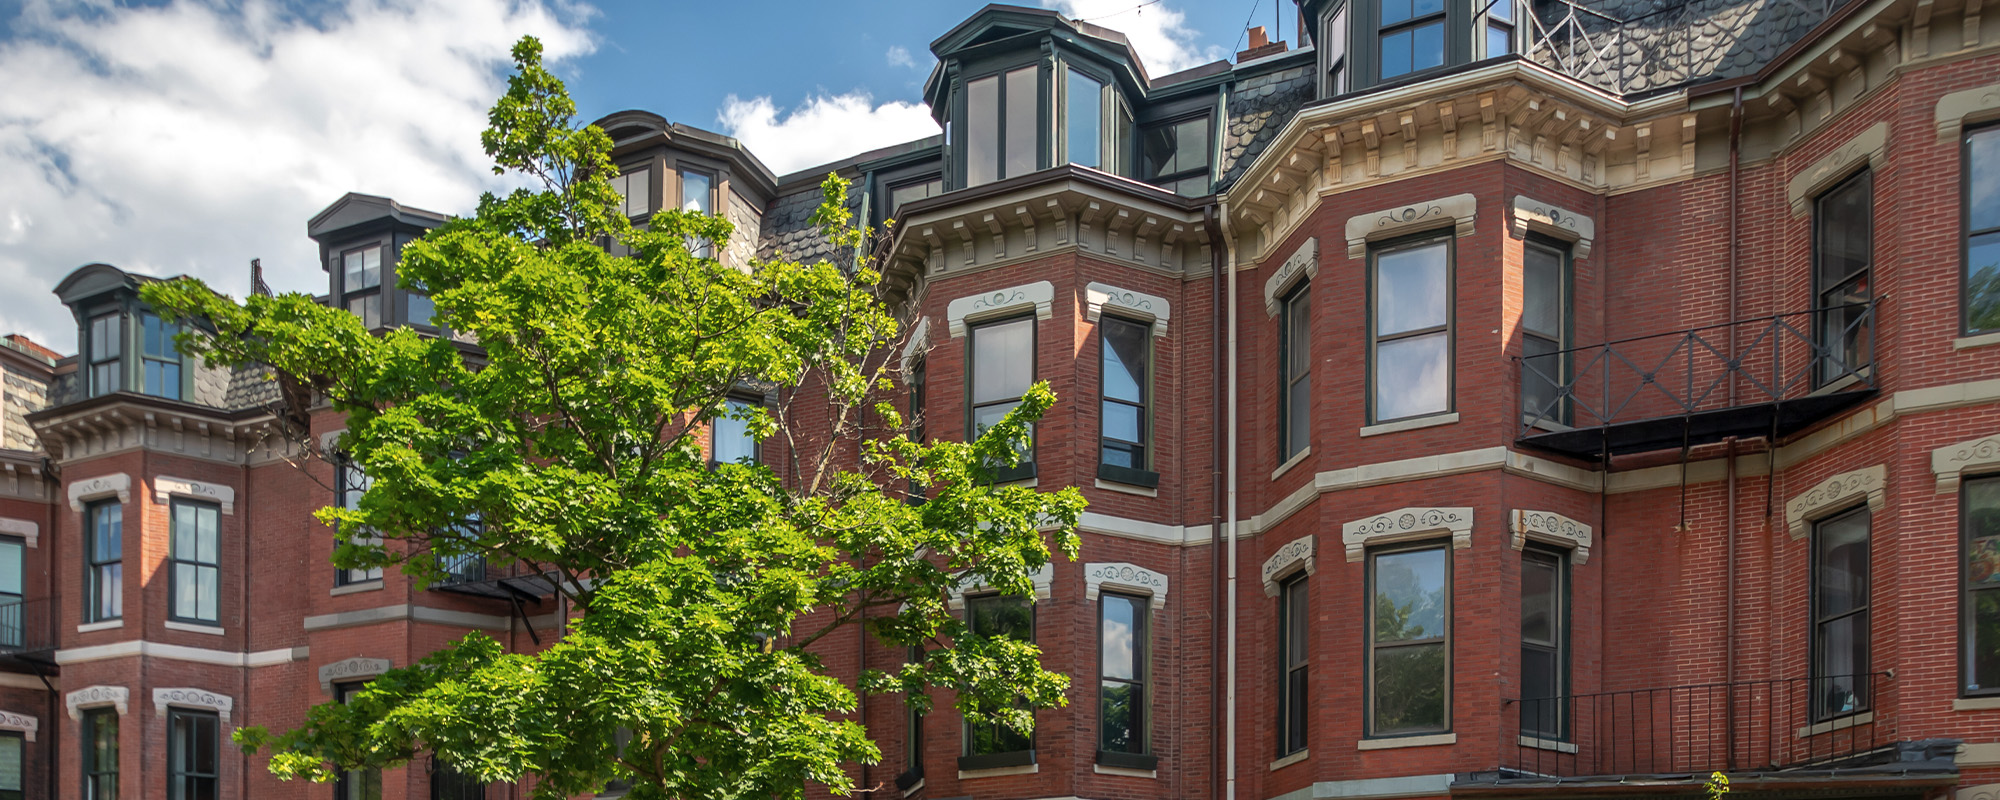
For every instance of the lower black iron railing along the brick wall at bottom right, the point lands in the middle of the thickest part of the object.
(1753, 725)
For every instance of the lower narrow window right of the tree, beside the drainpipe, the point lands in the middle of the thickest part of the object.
(1123, 651)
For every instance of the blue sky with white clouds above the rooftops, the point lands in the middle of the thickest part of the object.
(187, 137)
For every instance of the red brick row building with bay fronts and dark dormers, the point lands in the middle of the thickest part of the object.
(1483, 399)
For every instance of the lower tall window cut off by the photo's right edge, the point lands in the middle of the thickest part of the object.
(1979, 517)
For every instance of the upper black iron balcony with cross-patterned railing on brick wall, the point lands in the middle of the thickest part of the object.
(1675, 391)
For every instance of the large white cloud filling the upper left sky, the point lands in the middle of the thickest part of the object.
(205, 133)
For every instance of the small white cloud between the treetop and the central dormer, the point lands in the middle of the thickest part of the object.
(827, 129)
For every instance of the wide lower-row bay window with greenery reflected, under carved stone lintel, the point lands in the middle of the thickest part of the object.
(1409, 655)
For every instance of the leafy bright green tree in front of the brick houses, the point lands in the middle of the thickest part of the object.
(567, 441)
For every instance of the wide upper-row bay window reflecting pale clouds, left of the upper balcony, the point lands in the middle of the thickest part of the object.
(1411, 351)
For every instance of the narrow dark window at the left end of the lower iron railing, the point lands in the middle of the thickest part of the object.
(1545, 643)
